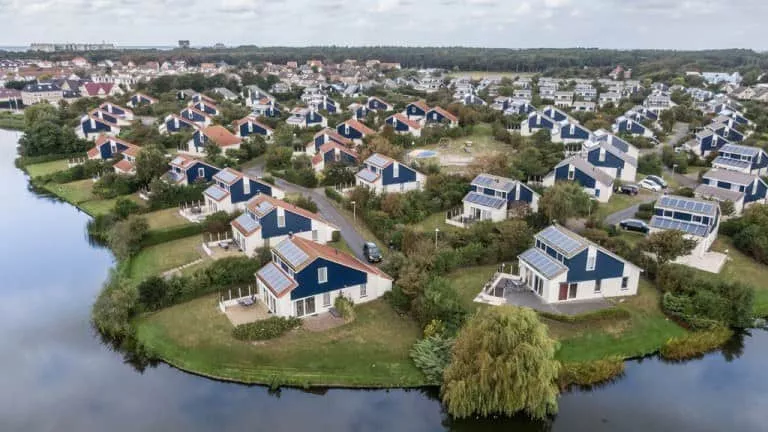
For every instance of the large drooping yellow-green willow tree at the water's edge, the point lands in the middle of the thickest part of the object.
(503, 362)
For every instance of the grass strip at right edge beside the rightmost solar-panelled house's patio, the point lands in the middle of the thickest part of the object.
(743, 268)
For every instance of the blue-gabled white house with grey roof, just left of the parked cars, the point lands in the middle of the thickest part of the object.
(596, 182)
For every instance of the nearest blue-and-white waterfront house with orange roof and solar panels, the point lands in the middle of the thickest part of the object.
(304, 278)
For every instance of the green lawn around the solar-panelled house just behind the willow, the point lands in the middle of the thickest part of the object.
(646, 330)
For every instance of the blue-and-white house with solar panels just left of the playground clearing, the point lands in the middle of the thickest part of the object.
(382, 174)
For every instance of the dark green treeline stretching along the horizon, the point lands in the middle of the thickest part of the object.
(543, 60)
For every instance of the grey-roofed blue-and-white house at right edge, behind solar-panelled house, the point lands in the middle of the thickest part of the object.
(739, 188)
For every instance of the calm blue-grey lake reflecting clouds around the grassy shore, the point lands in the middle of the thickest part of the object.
(56, 375)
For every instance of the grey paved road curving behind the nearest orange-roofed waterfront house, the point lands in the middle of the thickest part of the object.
(348, 232)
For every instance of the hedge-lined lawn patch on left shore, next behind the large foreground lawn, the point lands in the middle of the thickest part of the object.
(163, 257)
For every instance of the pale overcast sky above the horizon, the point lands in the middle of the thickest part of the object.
(680, 24)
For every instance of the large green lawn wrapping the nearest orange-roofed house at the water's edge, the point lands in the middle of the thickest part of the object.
(370, 351)
